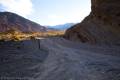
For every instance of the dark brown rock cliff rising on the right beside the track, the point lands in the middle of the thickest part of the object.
(101, 26)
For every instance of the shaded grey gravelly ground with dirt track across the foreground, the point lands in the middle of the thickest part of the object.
(58, 59)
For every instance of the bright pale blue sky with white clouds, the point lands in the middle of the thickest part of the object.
(48, 12)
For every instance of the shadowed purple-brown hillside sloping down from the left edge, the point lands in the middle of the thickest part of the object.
(10, 20)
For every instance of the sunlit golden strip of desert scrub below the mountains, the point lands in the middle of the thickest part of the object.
(16, 35)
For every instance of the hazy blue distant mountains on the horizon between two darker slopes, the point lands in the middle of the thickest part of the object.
(62, 26)
